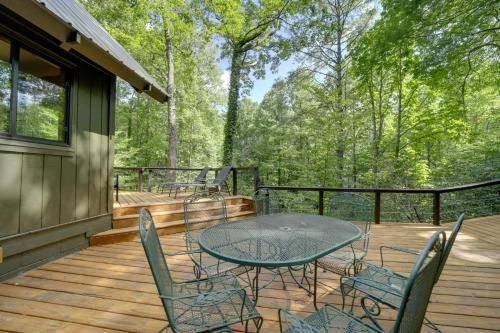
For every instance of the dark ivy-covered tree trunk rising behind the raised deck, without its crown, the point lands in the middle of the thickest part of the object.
(232, 107)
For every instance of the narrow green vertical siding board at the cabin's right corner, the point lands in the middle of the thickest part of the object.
(104, 149)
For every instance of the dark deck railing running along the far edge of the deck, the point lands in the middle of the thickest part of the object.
(427, 206)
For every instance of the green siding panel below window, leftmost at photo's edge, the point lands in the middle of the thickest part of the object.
(10, 193)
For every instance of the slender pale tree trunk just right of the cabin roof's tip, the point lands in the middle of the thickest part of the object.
(171, 112)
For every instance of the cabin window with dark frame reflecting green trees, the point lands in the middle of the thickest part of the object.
(33, 95)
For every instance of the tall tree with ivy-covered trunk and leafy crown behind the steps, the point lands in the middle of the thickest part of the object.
(247, 28)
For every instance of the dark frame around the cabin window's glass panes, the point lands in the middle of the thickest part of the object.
(15, 46)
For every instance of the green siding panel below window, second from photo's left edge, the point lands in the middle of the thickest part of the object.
(31, 192)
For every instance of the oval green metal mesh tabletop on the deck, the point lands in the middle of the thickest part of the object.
(277, 240)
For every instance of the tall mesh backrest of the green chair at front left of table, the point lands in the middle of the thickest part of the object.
(154, 254)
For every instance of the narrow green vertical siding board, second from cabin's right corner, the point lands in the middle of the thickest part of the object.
(95, 144)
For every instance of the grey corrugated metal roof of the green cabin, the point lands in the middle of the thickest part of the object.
(73, 13)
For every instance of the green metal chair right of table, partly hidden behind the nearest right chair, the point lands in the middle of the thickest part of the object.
(386, 286)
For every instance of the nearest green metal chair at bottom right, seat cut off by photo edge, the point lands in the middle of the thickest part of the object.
(412, 307)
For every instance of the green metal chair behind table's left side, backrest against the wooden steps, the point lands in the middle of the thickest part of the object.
(204, 207)
